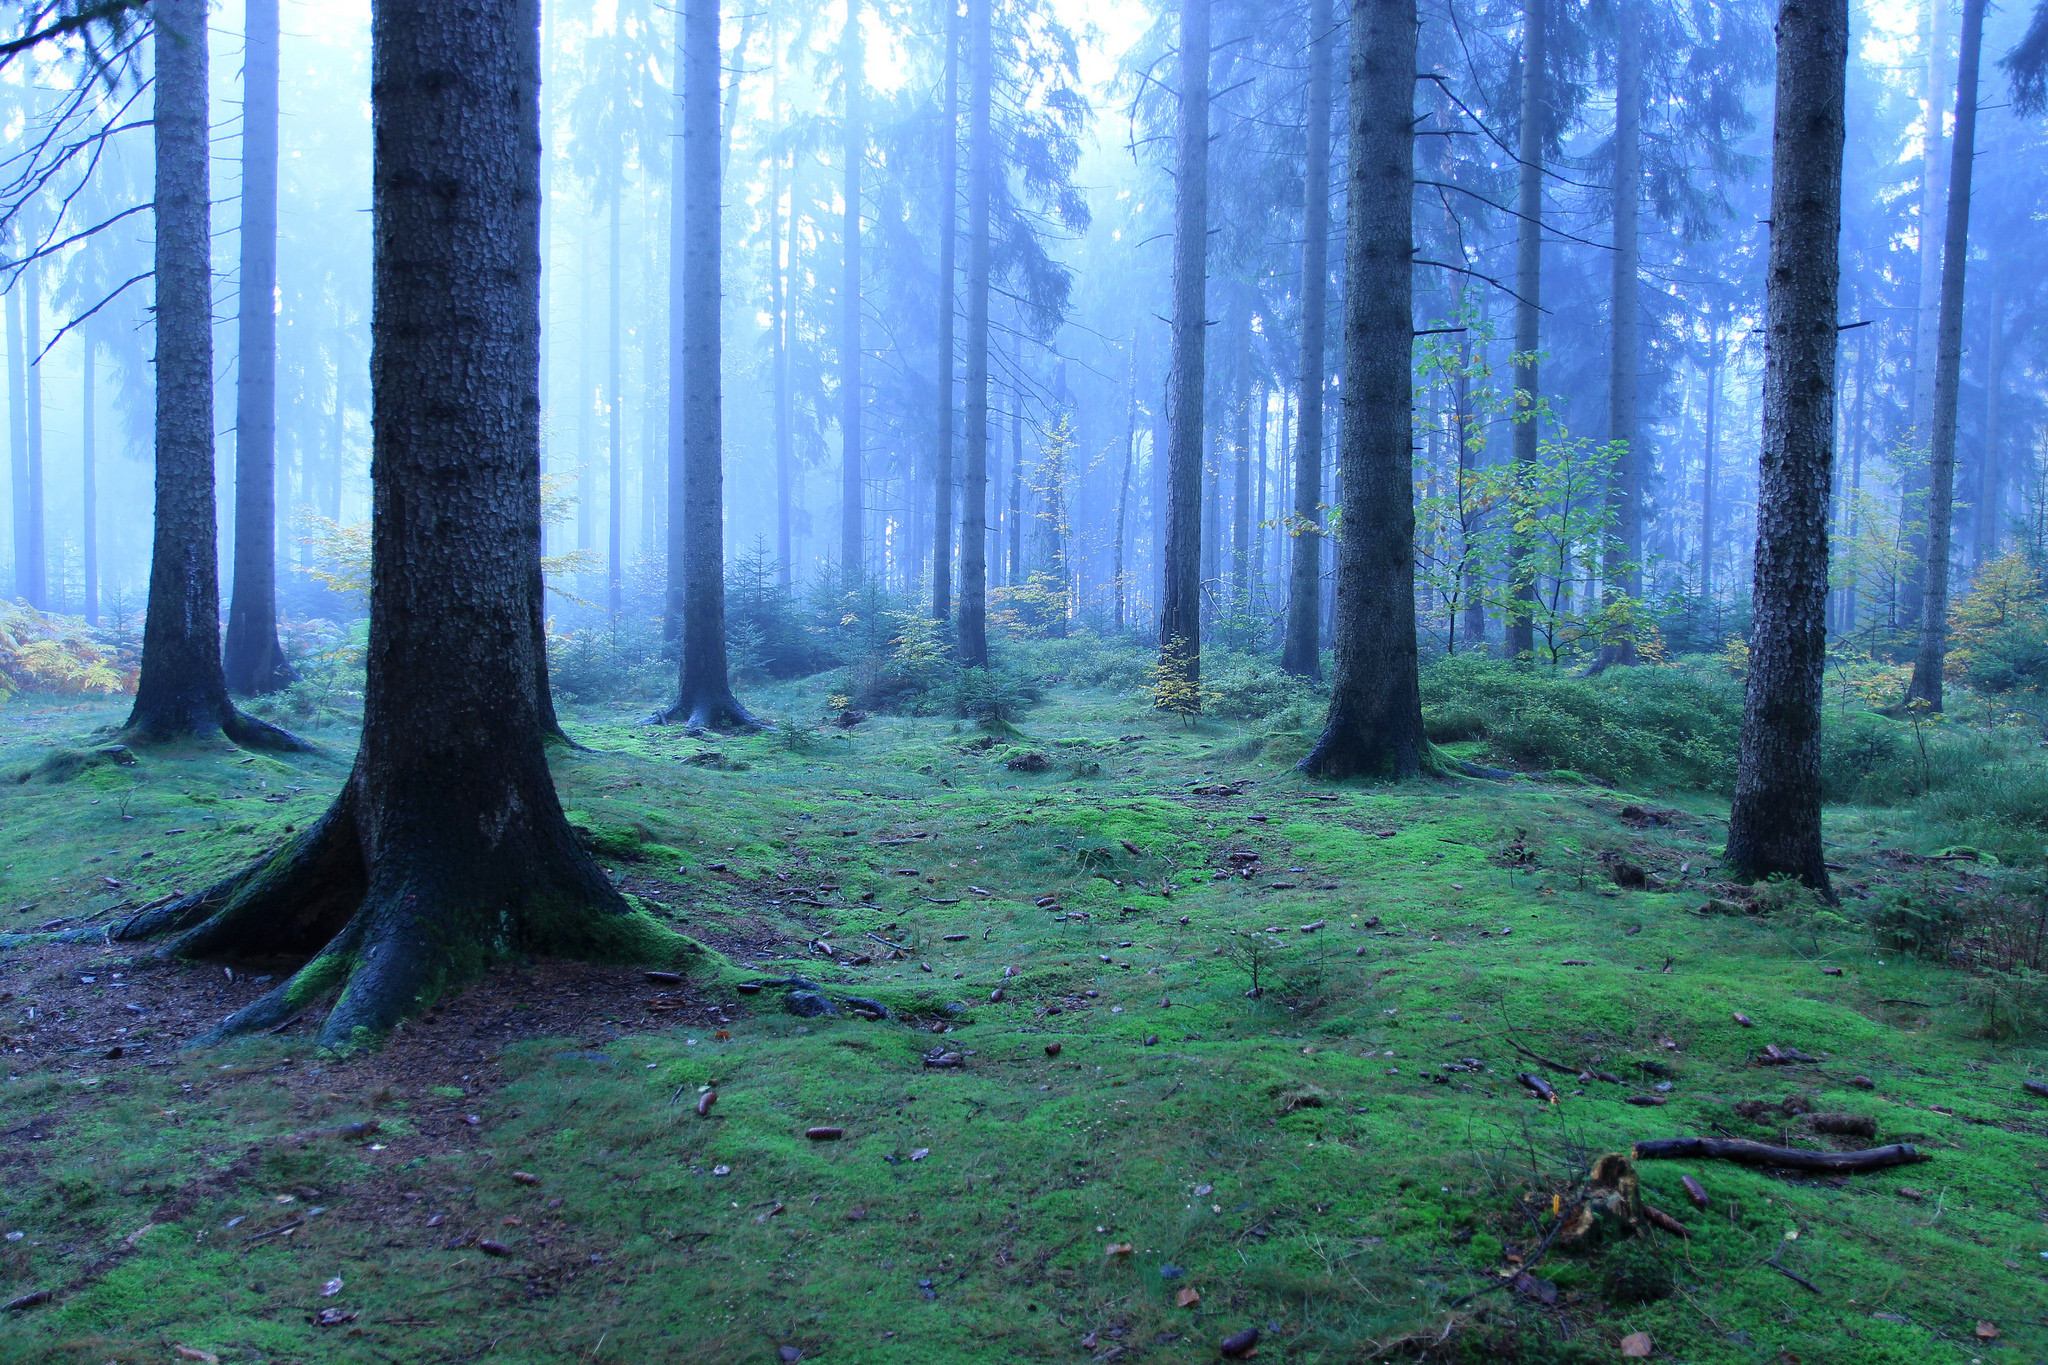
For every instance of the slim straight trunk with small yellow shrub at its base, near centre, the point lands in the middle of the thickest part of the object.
(1181, 590)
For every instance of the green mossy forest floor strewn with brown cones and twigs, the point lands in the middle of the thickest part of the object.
(1127, 1157)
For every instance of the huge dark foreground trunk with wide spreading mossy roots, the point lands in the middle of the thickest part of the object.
(447, 848)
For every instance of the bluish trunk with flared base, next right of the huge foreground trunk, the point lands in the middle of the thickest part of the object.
(703, 697)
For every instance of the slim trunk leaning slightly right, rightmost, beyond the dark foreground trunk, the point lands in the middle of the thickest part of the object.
(1928, 312)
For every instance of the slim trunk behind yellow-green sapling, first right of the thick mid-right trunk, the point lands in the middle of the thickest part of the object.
(1529, 312)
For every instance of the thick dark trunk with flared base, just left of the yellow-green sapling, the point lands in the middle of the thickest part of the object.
(1375, 701)
